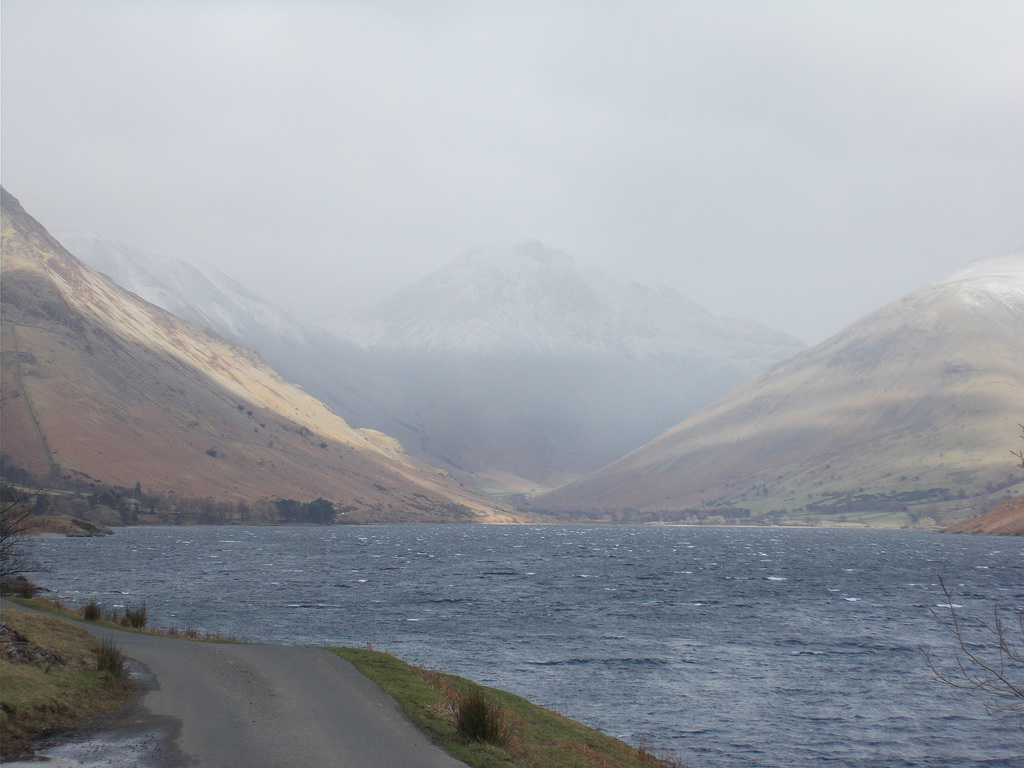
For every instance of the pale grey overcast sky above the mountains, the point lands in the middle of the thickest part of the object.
(796, 163)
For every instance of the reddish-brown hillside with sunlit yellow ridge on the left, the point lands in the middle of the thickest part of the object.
(99, 385)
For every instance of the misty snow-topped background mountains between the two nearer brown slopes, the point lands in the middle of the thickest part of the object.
(513, 367)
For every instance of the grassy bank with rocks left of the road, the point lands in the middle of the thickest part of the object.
(52, 679)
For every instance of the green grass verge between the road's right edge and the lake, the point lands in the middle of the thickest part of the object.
(531, 736)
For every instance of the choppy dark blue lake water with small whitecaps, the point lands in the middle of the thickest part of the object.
(727, 647)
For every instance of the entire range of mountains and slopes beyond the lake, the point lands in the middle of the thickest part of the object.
(516, 374)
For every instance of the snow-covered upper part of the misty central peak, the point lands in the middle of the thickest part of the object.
(526, 300)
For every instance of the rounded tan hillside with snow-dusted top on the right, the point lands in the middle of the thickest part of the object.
(907, 416)
